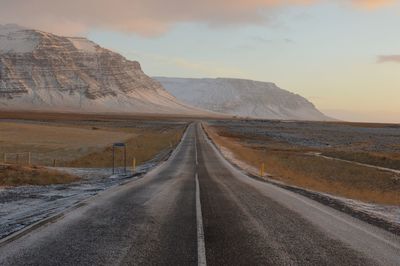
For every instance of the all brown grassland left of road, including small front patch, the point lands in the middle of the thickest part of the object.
(78, 143)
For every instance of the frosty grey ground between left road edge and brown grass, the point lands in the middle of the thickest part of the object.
(25, 205)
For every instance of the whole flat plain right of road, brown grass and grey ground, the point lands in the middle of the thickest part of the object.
(343, 159)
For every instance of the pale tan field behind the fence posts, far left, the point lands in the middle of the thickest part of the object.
(53, 142)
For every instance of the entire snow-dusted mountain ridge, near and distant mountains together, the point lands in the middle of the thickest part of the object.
(44, 71)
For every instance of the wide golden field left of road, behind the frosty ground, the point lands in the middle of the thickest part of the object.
(84, 146)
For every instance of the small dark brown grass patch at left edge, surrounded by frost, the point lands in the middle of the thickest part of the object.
(13, 175)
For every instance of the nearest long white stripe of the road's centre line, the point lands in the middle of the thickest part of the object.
(201, 248)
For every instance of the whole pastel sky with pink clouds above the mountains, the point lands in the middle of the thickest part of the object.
(342, 55)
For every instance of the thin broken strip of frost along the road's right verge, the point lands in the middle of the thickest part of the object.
(390, 214)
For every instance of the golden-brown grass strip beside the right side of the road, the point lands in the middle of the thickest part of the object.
(291, 164)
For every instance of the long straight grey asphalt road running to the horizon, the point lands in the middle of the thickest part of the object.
(197, 209)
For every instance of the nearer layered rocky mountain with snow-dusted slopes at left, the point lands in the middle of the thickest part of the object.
(43, 71)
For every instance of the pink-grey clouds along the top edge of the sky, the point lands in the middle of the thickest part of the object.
(150, 17)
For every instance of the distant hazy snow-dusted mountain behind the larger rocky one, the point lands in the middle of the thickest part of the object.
(244, 98)
